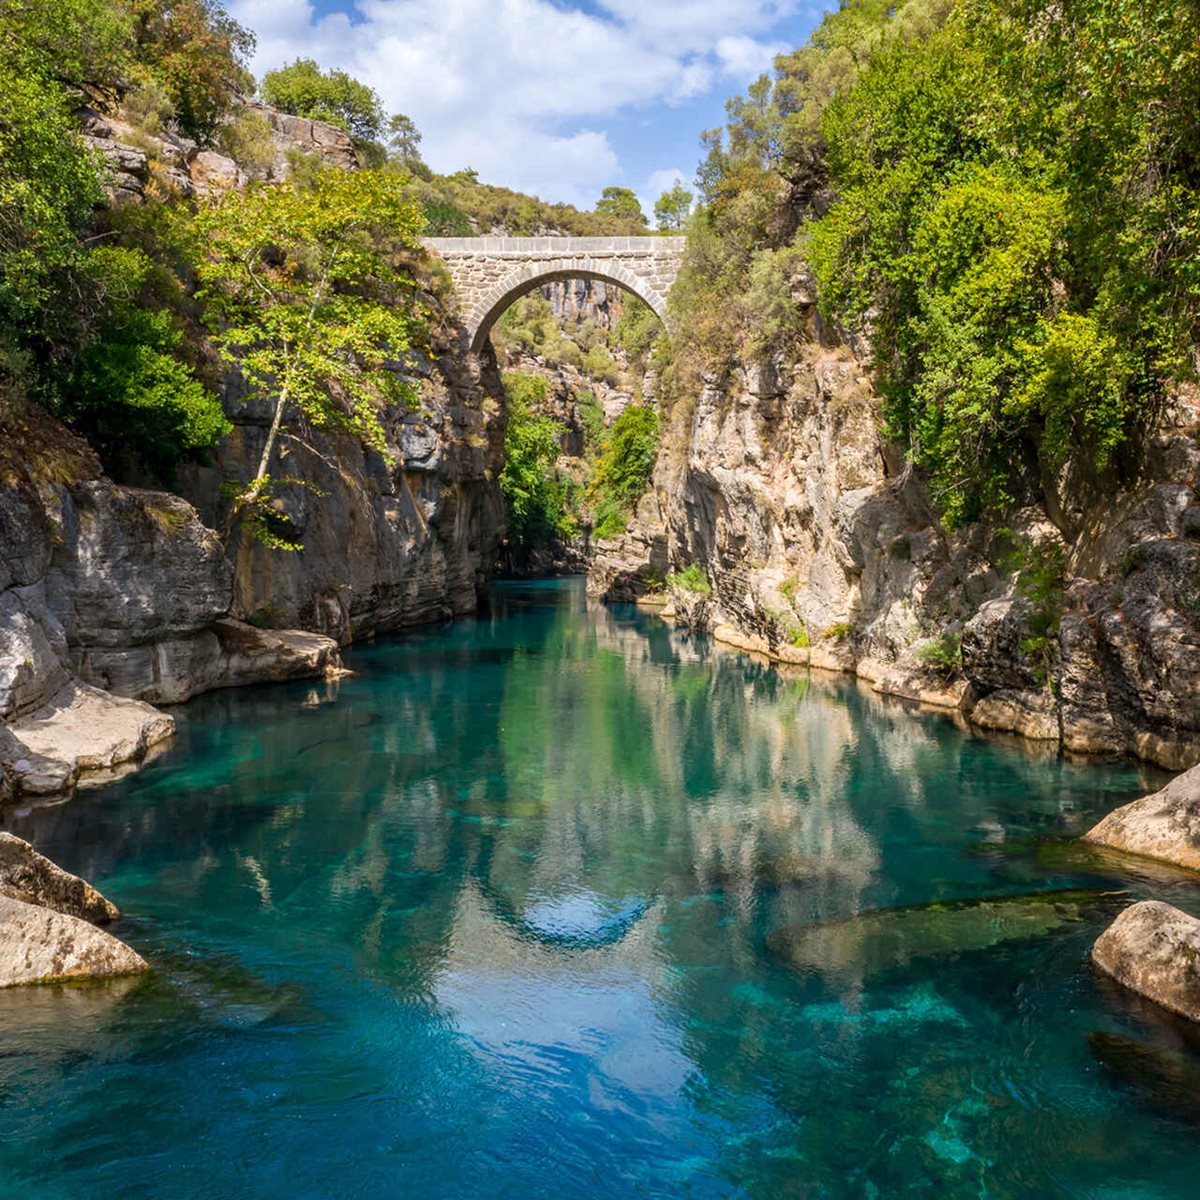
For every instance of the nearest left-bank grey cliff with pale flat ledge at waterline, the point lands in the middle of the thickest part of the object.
(111, 598)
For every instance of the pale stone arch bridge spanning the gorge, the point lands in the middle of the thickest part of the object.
(491, 273)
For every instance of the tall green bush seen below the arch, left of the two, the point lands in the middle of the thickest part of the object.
(539, 502)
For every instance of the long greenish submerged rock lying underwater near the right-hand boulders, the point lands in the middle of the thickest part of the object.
(889, 938)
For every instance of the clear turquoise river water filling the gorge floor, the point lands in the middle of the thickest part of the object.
(500, 917)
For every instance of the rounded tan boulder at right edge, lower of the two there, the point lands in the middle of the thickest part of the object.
(1154, 950)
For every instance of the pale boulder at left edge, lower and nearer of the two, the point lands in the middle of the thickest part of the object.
(43, 946)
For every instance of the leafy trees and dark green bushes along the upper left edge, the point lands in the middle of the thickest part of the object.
(93, 322)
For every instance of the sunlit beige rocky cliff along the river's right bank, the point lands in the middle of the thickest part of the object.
(820, 548)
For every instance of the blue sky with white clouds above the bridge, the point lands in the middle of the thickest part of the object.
(556, 98)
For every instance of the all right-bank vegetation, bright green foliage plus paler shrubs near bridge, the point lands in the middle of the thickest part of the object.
(1004, 197)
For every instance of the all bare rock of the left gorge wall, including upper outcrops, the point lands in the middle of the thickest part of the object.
(116, 599)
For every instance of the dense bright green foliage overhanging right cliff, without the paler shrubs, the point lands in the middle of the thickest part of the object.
(1021, 218)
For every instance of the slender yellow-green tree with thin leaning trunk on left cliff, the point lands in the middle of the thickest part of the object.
(307, 295)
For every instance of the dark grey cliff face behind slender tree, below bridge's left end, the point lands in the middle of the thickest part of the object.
(386, 545)
